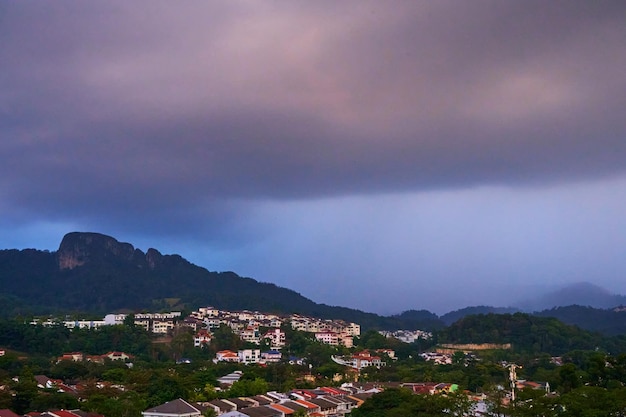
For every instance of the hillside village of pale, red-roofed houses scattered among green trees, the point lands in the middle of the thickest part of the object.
(246, 364)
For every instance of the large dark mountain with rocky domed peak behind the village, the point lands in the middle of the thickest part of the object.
(96, 274)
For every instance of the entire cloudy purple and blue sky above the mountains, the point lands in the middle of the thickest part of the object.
(384, 156)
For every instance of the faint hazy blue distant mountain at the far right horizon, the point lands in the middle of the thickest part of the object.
(582, 293)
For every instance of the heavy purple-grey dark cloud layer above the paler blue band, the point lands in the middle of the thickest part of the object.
(179, 119)
